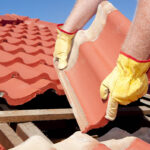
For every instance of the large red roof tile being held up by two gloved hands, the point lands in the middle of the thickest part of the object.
(93, 56)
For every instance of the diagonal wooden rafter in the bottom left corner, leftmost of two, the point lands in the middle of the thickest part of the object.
(8, 137)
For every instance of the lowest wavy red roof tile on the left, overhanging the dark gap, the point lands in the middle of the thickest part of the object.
(18, 92)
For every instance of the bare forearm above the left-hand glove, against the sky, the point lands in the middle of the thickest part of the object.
(81, 13)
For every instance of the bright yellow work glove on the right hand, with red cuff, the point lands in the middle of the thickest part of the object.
(125, 84)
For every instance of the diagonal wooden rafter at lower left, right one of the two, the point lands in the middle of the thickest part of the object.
(26, 130)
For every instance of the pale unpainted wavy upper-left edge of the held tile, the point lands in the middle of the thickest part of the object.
(92, 33)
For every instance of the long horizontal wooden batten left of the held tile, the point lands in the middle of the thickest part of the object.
(35, 115)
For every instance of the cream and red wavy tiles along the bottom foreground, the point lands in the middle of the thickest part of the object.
(82, 141)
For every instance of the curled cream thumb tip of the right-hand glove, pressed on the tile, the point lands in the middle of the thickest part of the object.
(104, 91)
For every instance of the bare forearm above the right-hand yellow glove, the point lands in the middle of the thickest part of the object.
(137, 43)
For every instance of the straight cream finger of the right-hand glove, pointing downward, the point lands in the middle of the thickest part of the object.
(112, 108)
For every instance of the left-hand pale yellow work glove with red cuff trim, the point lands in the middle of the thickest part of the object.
(62, 46)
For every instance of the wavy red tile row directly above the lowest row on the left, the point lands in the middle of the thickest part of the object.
(32, 74)
